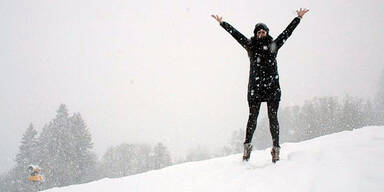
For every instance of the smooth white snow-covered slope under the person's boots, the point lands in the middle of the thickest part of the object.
(347, 161)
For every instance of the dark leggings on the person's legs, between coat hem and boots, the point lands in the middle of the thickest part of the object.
(254, 109)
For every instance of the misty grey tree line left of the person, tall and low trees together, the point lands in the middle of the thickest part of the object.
(63, 151)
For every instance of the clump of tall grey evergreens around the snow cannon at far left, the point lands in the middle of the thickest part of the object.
(62, 151)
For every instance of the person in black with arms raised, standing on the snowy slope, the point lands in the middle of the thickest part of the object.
(263, 84)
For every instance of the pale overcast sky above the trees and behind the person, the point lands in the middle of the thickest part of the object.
(165, 71)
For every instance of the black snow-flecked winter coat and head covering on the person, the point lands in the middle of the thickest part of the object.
(263, 82)
